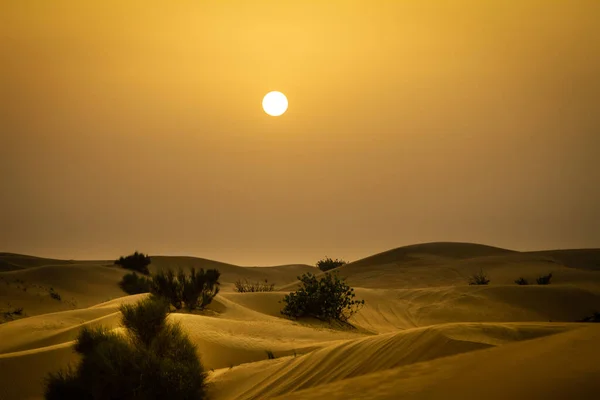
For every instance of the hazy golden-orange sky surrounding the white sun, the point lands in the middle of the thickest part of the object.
(131, 125)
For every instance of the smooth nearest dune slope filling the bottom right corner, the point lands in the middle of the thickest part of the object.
(562, 366)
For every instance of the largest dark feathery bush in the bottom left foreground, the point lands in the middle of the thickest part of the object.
(153, 360)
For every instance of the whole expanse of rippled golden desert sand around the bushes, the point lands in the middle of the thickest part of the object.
(424, 333)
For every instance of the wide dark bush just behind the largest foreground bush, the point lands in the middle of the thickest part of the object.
(194, 291)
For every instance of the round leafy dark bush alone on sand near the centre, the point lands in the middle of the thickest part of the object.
(328, 298)
